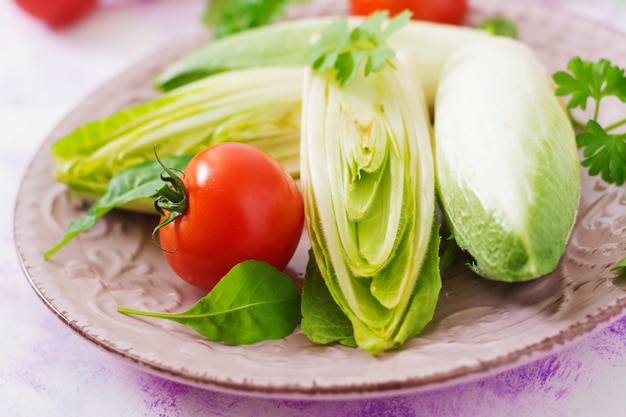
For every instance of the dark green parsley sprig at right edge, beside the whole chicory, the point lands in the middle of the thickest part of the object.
(604, 151)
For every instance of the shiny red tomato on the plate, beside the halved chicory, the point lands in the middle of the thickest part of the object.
(242, 204)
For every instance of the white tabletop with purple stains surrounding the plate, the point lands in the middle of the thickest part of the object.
(48, 369)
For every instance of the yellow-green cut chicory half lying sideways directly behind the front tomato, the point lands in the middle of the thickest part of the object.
(260, 107)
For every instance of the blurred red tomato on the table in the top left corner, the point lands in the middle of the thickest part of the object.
(57, 12)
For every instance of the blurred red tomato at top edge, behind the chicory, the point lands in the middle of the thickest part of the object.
(439, 11)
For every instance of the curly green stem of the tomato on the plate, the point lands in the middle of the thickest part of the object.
(171, 201)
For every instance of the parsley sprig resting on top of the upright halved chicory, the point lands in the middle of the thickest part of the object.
(345, 50)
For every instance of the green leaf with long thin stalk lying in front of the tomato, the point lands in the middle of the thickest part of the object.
(253, 302)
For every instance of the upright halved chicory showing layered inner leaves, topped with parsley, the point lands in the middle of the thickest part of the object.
(368, 183)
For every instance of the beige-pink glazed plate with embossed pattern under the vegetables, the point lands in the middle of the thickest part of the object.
(479, 326)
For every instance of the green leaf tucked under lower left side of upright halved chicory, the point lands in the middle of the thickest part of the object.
(323, 322)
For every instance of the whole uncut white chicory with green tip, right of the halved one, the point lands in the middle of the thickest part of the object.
(508, 174)
